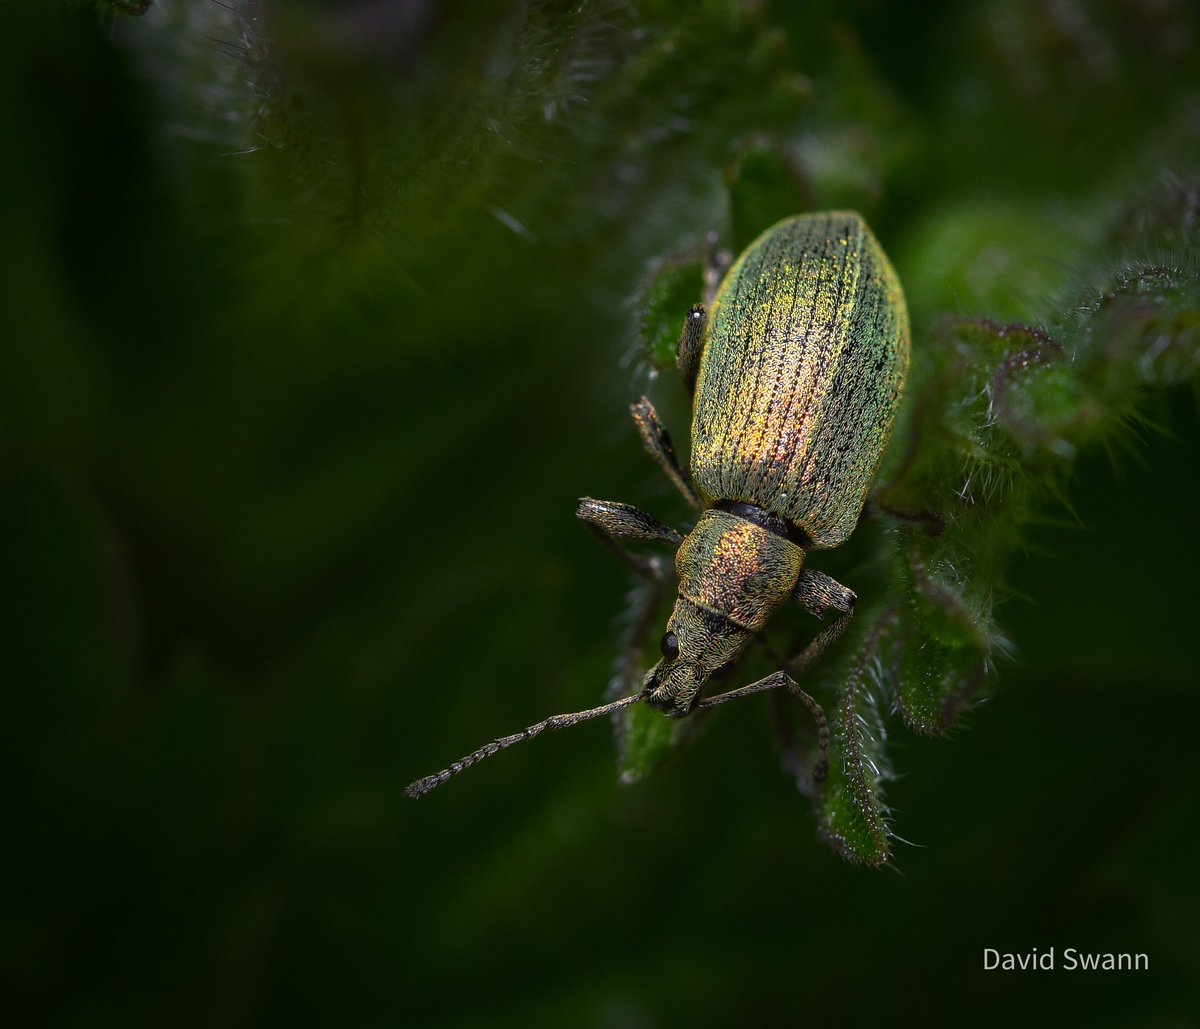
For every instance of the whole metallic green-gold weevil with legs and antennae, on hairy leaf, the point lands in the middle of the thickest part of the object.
(796, 370)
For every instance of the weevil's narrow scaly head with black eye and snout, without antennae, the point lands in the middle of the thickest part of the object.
(697, 645)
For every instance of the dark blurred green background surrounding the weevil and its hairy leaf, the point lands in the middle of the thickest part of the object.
(317, 321)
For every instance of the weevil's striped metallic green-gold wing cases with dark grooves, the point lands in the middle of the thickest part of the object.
(801, 375)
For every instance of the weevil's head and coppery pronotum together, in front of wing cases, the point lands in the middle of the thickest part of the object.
(734, 574)
